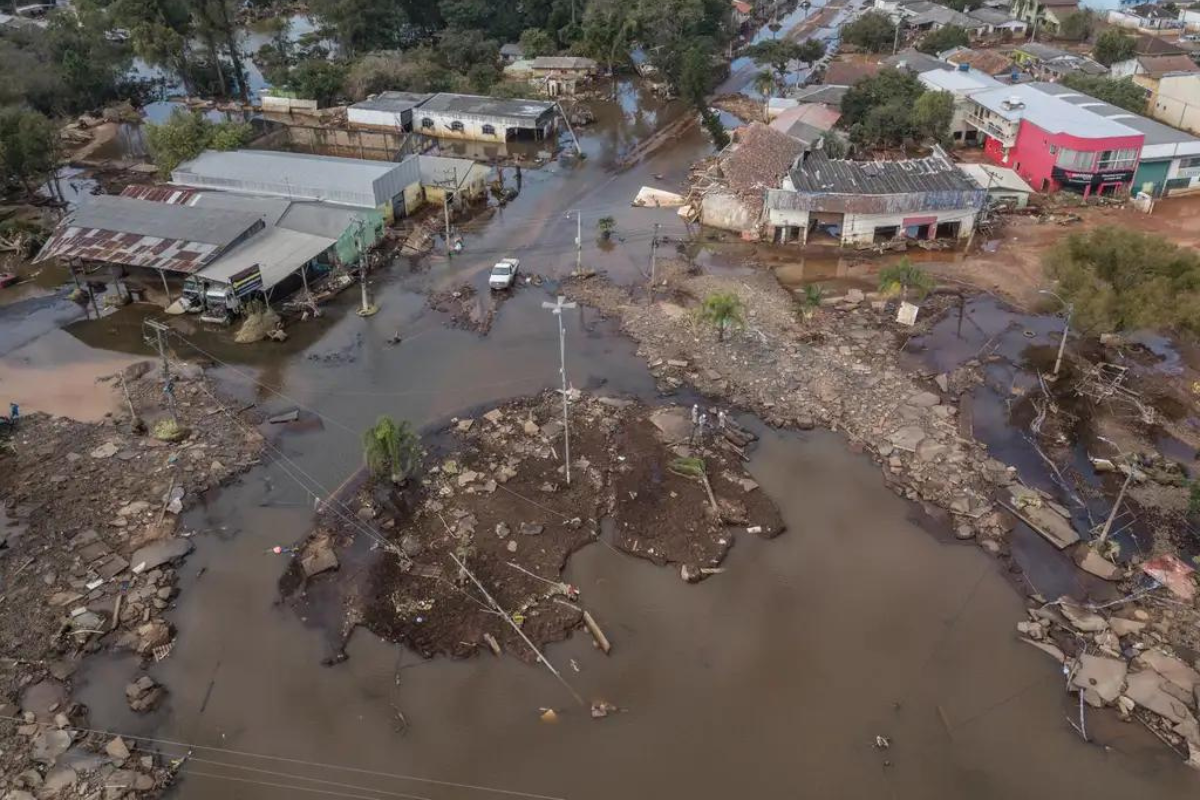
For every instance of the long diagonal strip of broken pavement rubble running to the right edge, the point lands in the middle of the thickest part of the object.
(839, 366)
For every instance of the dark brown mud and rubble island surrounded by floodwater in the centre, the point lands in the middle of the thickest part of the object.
(500, 503)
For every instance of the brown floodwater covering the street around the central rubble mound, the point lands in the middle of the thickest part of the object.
(772, 678)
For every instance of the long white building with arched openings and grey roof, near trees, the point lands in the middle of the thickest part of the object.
(485, 119)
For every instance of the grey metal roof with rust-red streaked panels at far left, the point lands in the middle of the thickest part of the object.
(157, 236)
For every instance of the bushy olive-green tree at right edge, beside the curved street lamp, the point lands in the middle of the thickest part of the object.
(1120, 280)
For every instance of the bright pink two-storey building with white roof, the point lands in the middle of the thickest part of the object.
(1053, 143)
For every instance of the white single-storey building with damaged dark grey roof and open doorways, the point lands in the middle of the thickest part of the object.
(860, 203)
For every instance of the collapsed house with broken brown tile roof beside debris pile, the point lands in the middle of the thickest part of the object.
(733, 191)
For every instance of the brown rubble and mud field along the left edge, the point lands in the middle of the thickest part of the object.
(89, 546)
